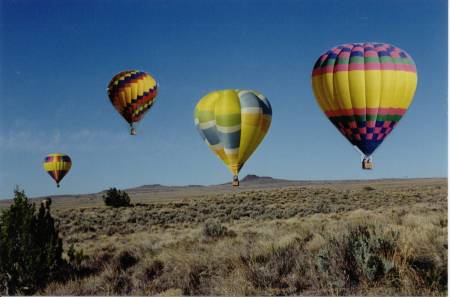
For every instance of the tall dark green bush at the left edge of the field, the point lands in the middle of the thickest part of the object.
(31, 250)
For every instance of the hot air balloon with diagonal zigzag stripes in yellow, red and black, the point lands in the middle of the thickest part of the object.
(132, 93)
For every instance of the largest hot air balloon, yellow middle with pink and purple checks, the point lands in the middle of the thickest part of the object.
(364, 89)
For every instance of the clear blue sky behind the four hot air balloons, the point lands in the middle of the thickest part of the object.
(57, 58)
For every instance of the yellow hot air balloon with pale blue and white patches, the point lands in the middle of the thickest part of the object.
(233, 123)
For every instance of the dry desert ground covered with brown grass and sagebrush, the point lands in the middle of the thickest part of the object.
(269, 237)
